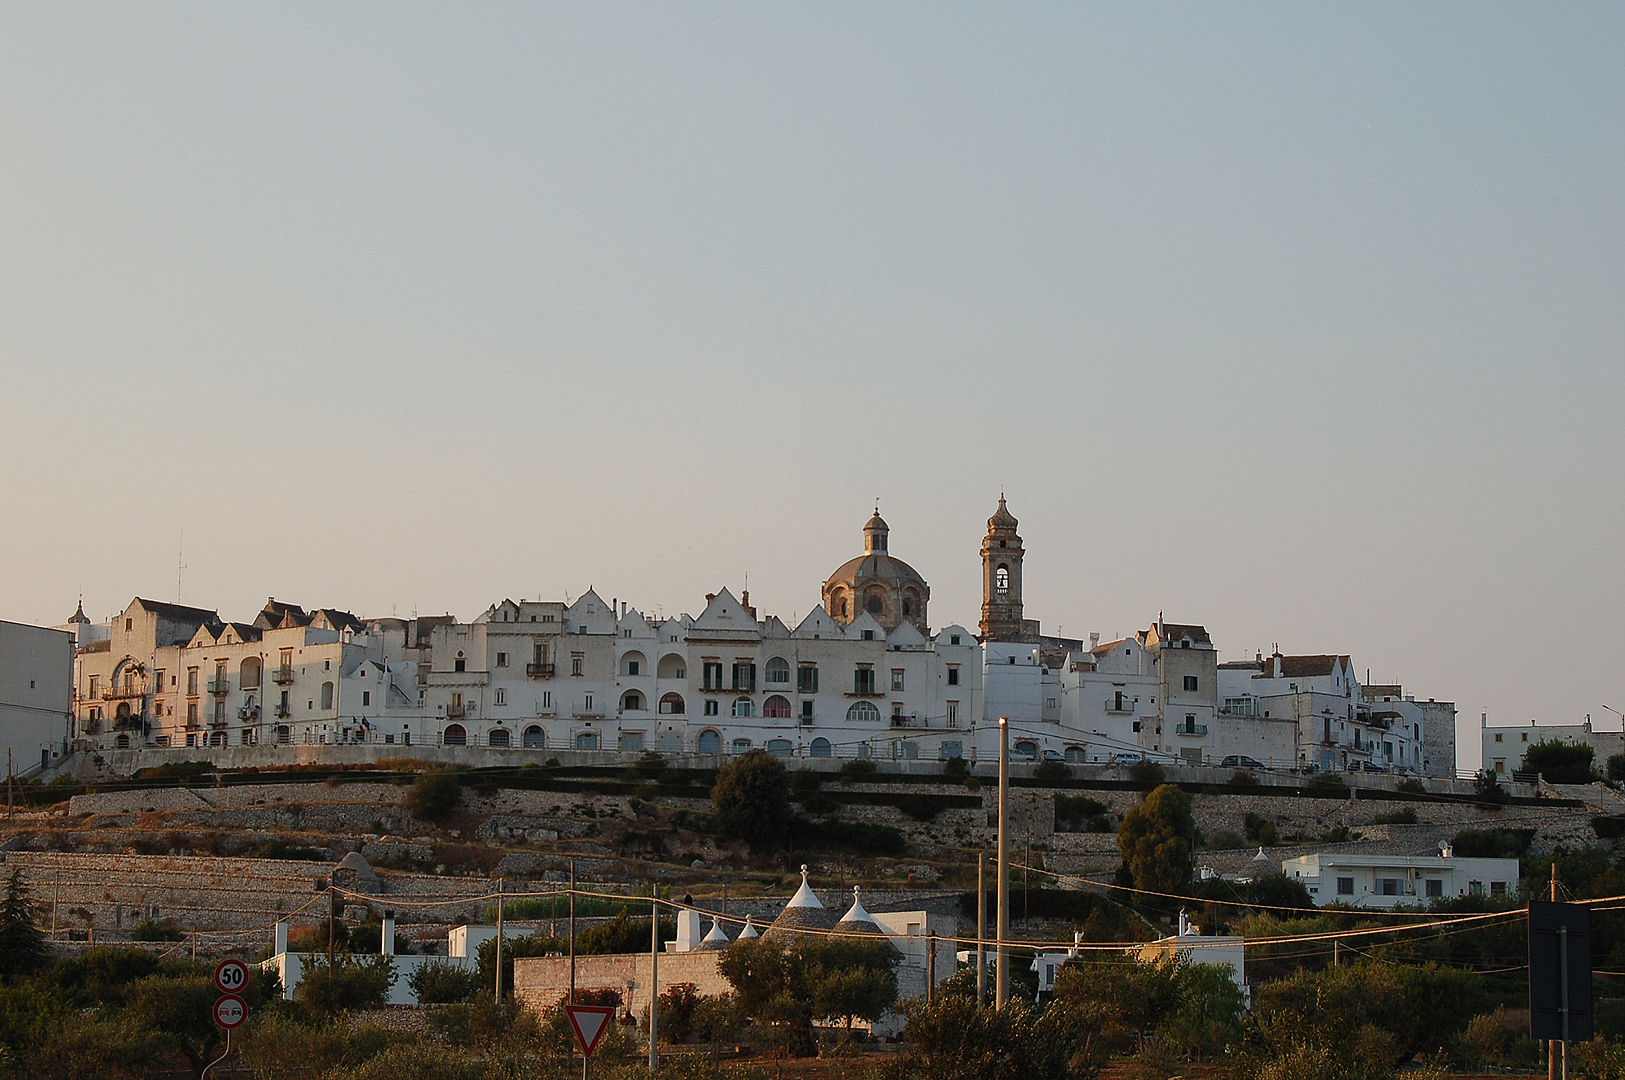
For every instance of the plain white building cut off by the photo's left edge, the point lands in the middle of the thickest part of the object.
(37, 694)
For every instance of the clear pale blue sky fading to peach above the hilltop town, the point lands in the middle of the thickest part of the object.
(1302, 322)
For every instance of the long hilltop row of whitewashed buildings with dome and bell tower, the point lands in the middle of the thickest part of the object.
(862, 676)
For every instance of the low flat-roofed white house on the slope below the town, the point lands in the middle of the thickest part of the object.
(1390, 881)
